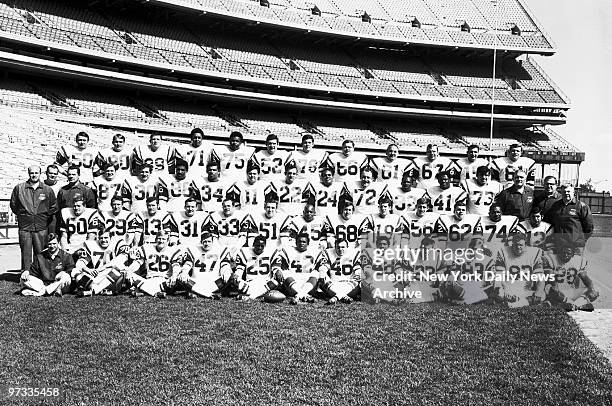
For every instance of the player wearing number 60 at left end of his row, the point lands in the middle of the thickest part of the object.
(77, 224)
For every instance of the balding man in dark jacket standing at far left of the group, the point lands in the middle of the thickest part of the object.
(34, 204)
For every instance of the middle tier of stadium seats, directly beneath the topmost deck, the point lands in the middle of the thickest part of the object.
(321, 66)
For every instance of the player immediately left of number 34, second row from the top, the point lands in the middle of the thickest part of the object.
(175, 189)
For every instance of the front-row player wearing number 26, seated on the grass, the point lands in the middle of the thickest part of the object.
(155, 267)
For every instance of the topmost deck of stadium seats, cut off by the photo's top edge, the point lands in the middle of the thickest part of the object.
(478, 24)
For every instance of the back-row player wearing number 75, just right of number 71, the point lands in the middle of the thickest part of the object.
(233, 157)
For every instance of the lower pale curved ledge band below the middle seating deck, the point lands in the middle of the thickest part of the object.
(52, 68)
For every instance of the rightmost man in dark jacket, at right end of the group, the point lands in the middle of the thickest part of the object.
(571, 219)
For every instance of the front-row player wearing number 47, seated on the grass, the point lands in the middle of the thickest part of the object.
(205, 271)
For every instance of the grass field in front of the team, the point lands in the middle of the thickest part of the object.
(175, 351)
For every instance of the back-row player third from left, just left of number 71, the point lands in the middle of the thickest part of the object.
(160, 157)
